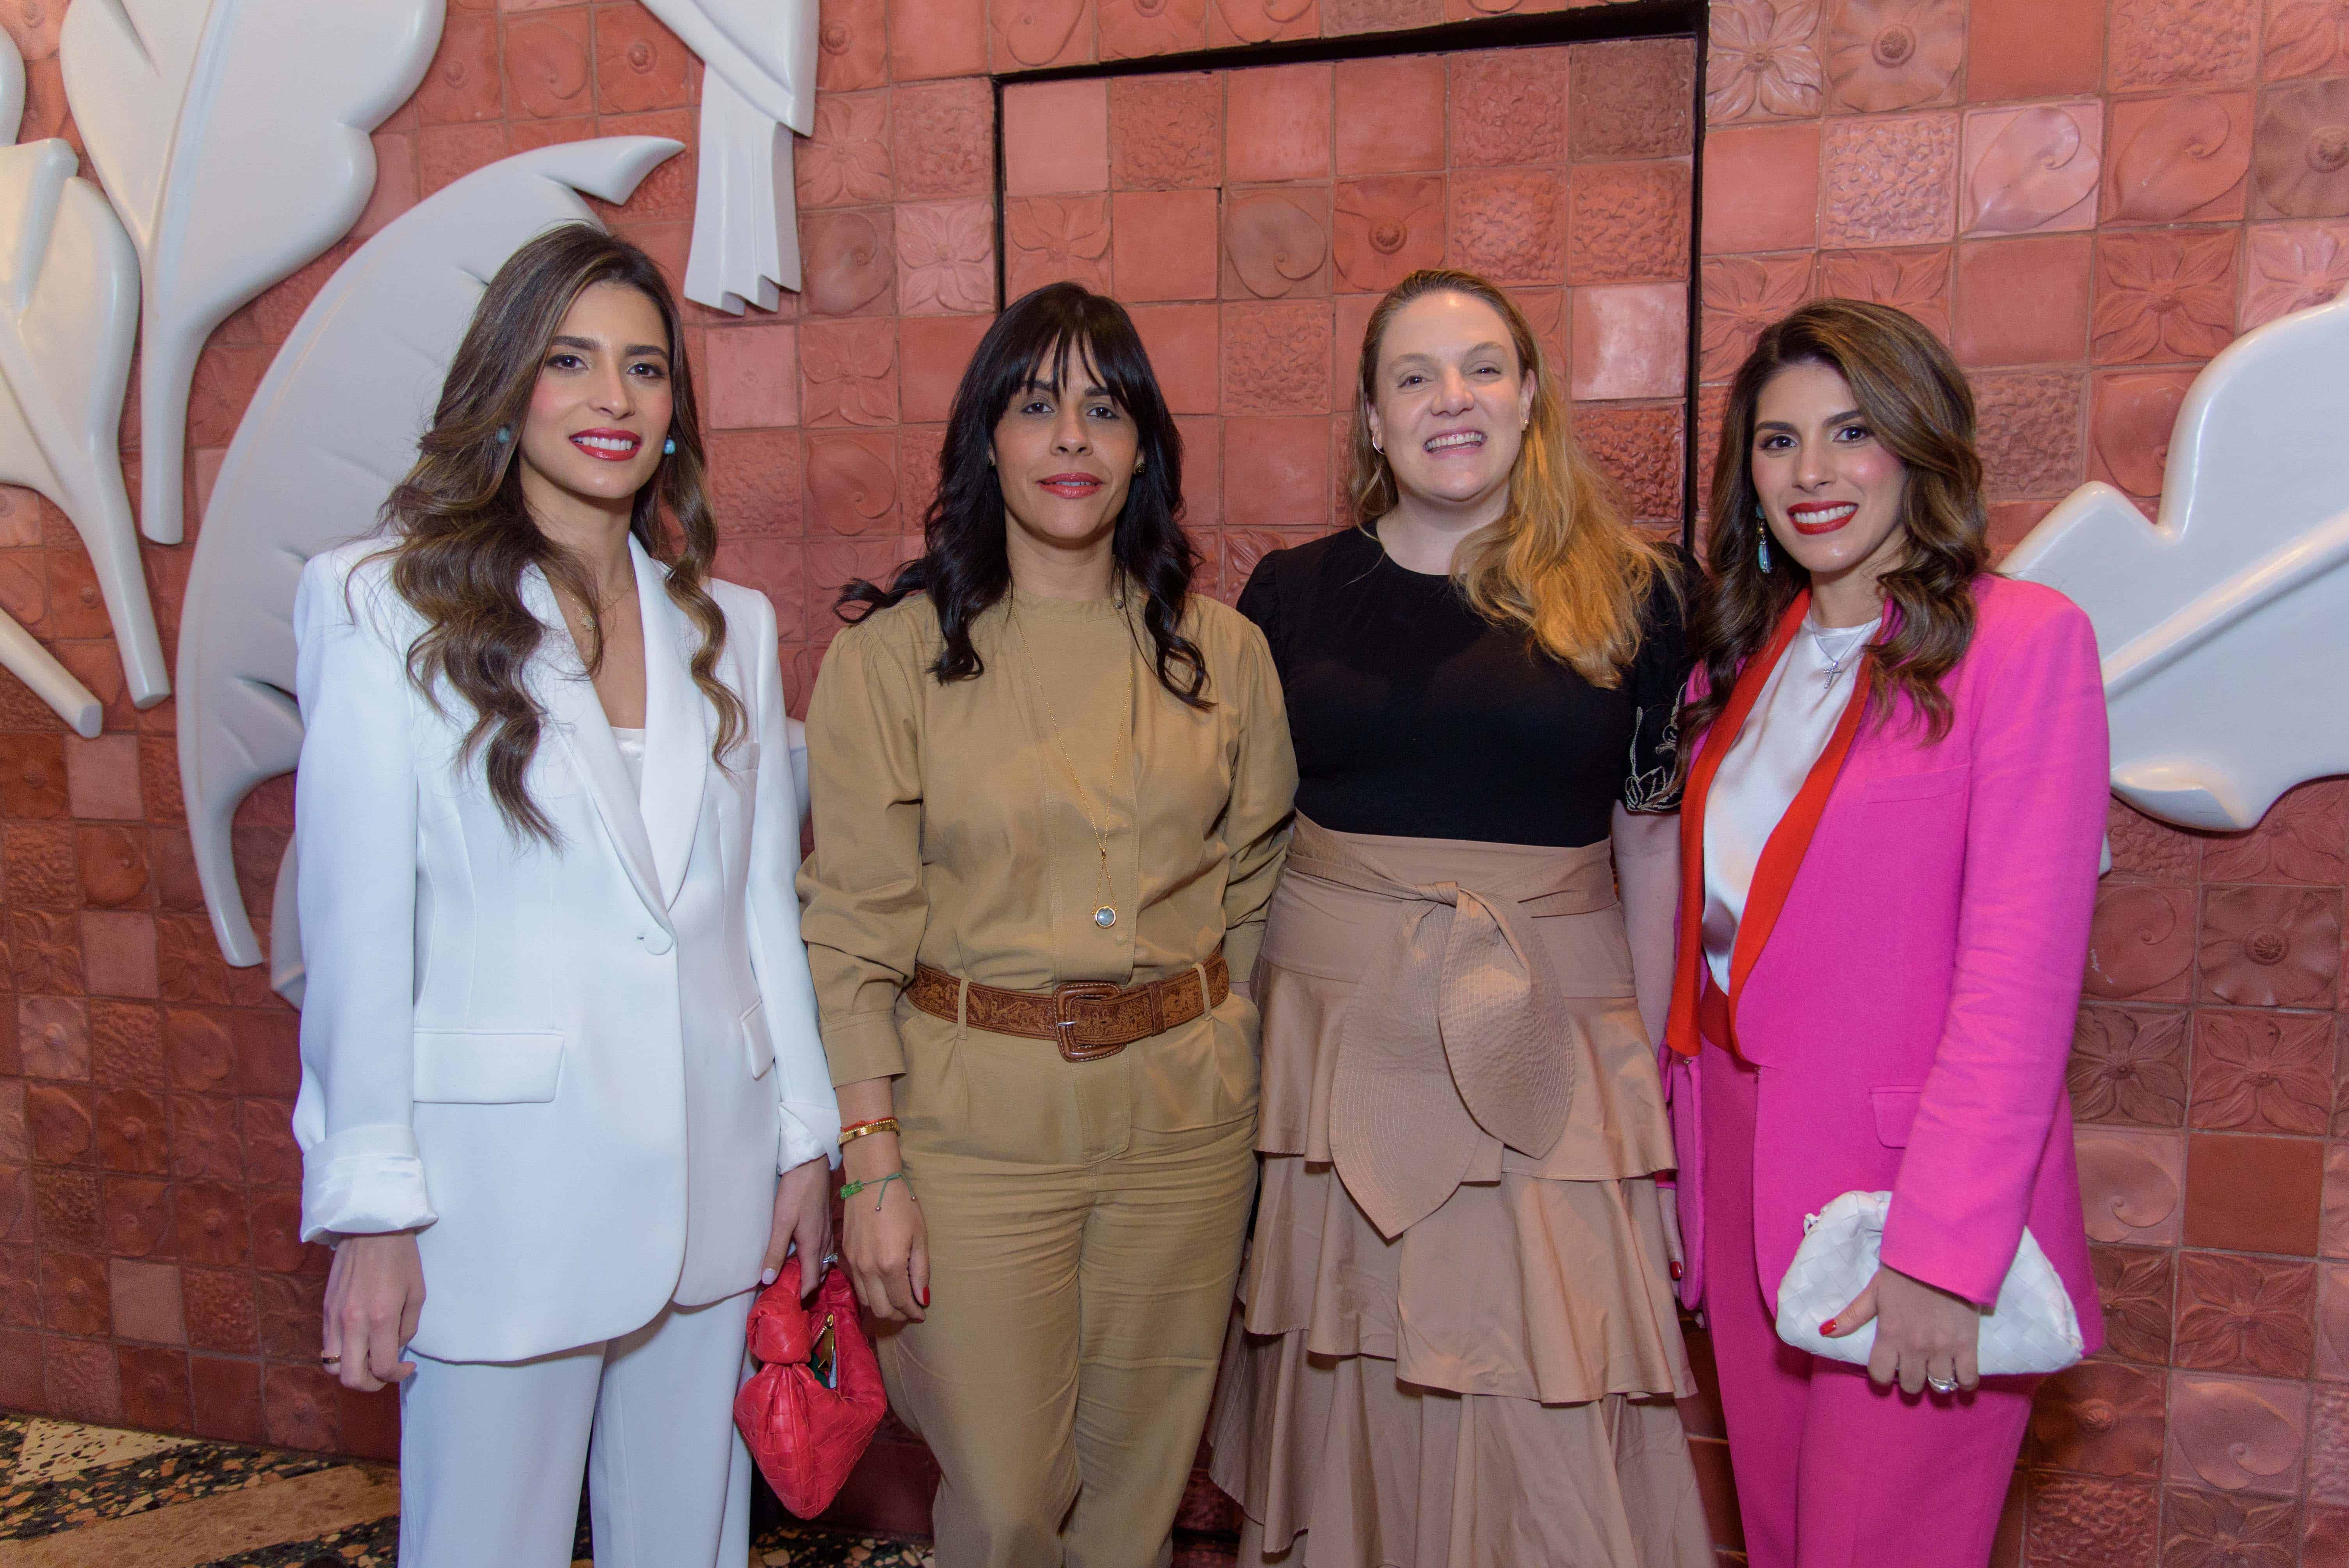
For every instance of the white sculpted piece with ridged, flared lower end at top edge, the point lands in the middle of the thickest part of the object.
(760, 88)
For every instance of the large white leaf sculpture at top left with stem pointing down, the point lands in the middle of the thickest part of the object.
(231, 137)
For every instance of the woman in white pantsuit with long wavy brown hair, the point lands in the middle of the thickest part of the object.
(563, 1095)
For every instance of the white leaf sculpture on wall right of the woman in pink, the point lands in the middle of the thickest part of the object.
(2223, 623)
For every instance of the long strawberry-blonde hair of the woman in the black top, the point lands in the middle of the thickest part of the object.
(1561, 565)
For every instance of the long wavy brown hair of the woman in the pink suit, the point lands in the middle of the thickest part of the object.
(1918, 403)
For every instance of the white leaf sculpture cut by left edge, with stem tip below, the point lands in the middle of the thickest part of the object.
(69, 318)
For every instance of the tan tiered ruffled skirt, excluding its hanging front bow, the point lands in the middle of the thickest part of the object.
(1495, 1386)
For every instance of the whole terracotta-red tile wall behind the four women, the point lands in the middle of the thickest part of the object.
(2089, 196)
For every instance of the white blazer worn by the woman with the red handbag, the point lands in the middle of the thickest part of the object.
(577, 1069)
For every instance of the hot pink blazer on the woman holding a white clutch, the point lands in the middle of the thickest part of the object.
(1911, 1008)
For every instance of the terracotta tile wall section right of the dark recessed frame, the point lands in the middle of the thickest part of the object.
(2089, 198)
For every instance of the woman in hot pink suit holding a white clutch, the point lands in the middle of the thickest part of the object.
(1890, 853)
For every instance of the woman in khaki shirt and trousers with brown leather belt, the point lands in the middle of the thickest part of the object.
(1051, 792)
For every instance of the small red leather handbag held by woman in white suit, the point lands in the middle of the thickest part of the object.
(802, 1426)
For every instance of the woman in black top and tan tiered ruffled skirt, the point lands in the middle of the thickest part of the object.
(1458, 1344)
